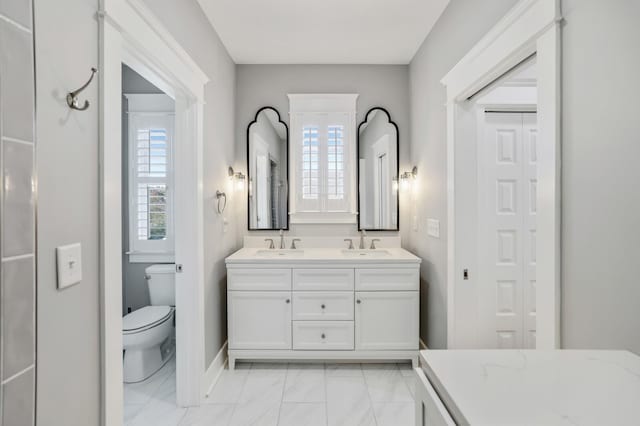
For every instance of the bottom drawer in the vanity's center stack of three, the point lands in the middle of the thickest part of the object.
(323, 335)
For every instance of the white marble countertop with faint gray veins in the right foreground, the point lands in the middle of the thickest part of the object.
(526, 387)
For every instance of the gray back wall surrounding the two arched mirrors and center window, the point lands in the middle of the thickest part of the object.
(268, 85)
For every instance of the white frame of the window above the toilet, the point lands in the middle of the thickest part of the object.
(143, 106)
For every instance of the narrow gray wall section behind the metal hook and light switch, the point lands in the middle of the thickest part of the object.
(67, 167)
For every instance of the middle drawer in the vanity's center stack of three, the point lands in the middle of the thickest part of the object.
(322, 306)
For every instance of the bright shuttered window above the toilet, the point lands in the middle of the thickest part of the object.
(150, 185)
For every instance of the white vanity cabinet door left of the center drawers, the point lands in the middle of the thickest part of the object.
(259, 319)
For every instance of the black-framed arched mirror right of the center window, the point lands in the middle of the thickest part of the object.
(378, 172)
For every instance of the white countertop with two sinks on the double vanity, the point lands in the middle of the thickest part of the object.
(391, 255)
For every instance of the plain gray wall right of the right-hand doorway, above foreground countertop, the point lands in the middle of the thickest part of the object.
(601, 197)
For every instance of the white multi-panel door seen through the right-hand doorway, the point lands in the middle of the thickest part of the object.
(506, 230)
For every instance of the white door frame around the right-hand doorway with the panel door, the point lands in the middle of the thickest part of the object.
(530, 27)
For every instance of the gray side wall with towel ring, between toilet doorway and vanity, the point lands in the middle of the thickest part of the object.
(190, 27)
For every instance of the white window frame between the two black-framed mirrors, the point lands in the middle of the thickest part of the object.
(326, 110)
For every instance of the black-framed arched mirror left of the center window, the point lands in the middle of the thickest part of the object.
(267, 149)
